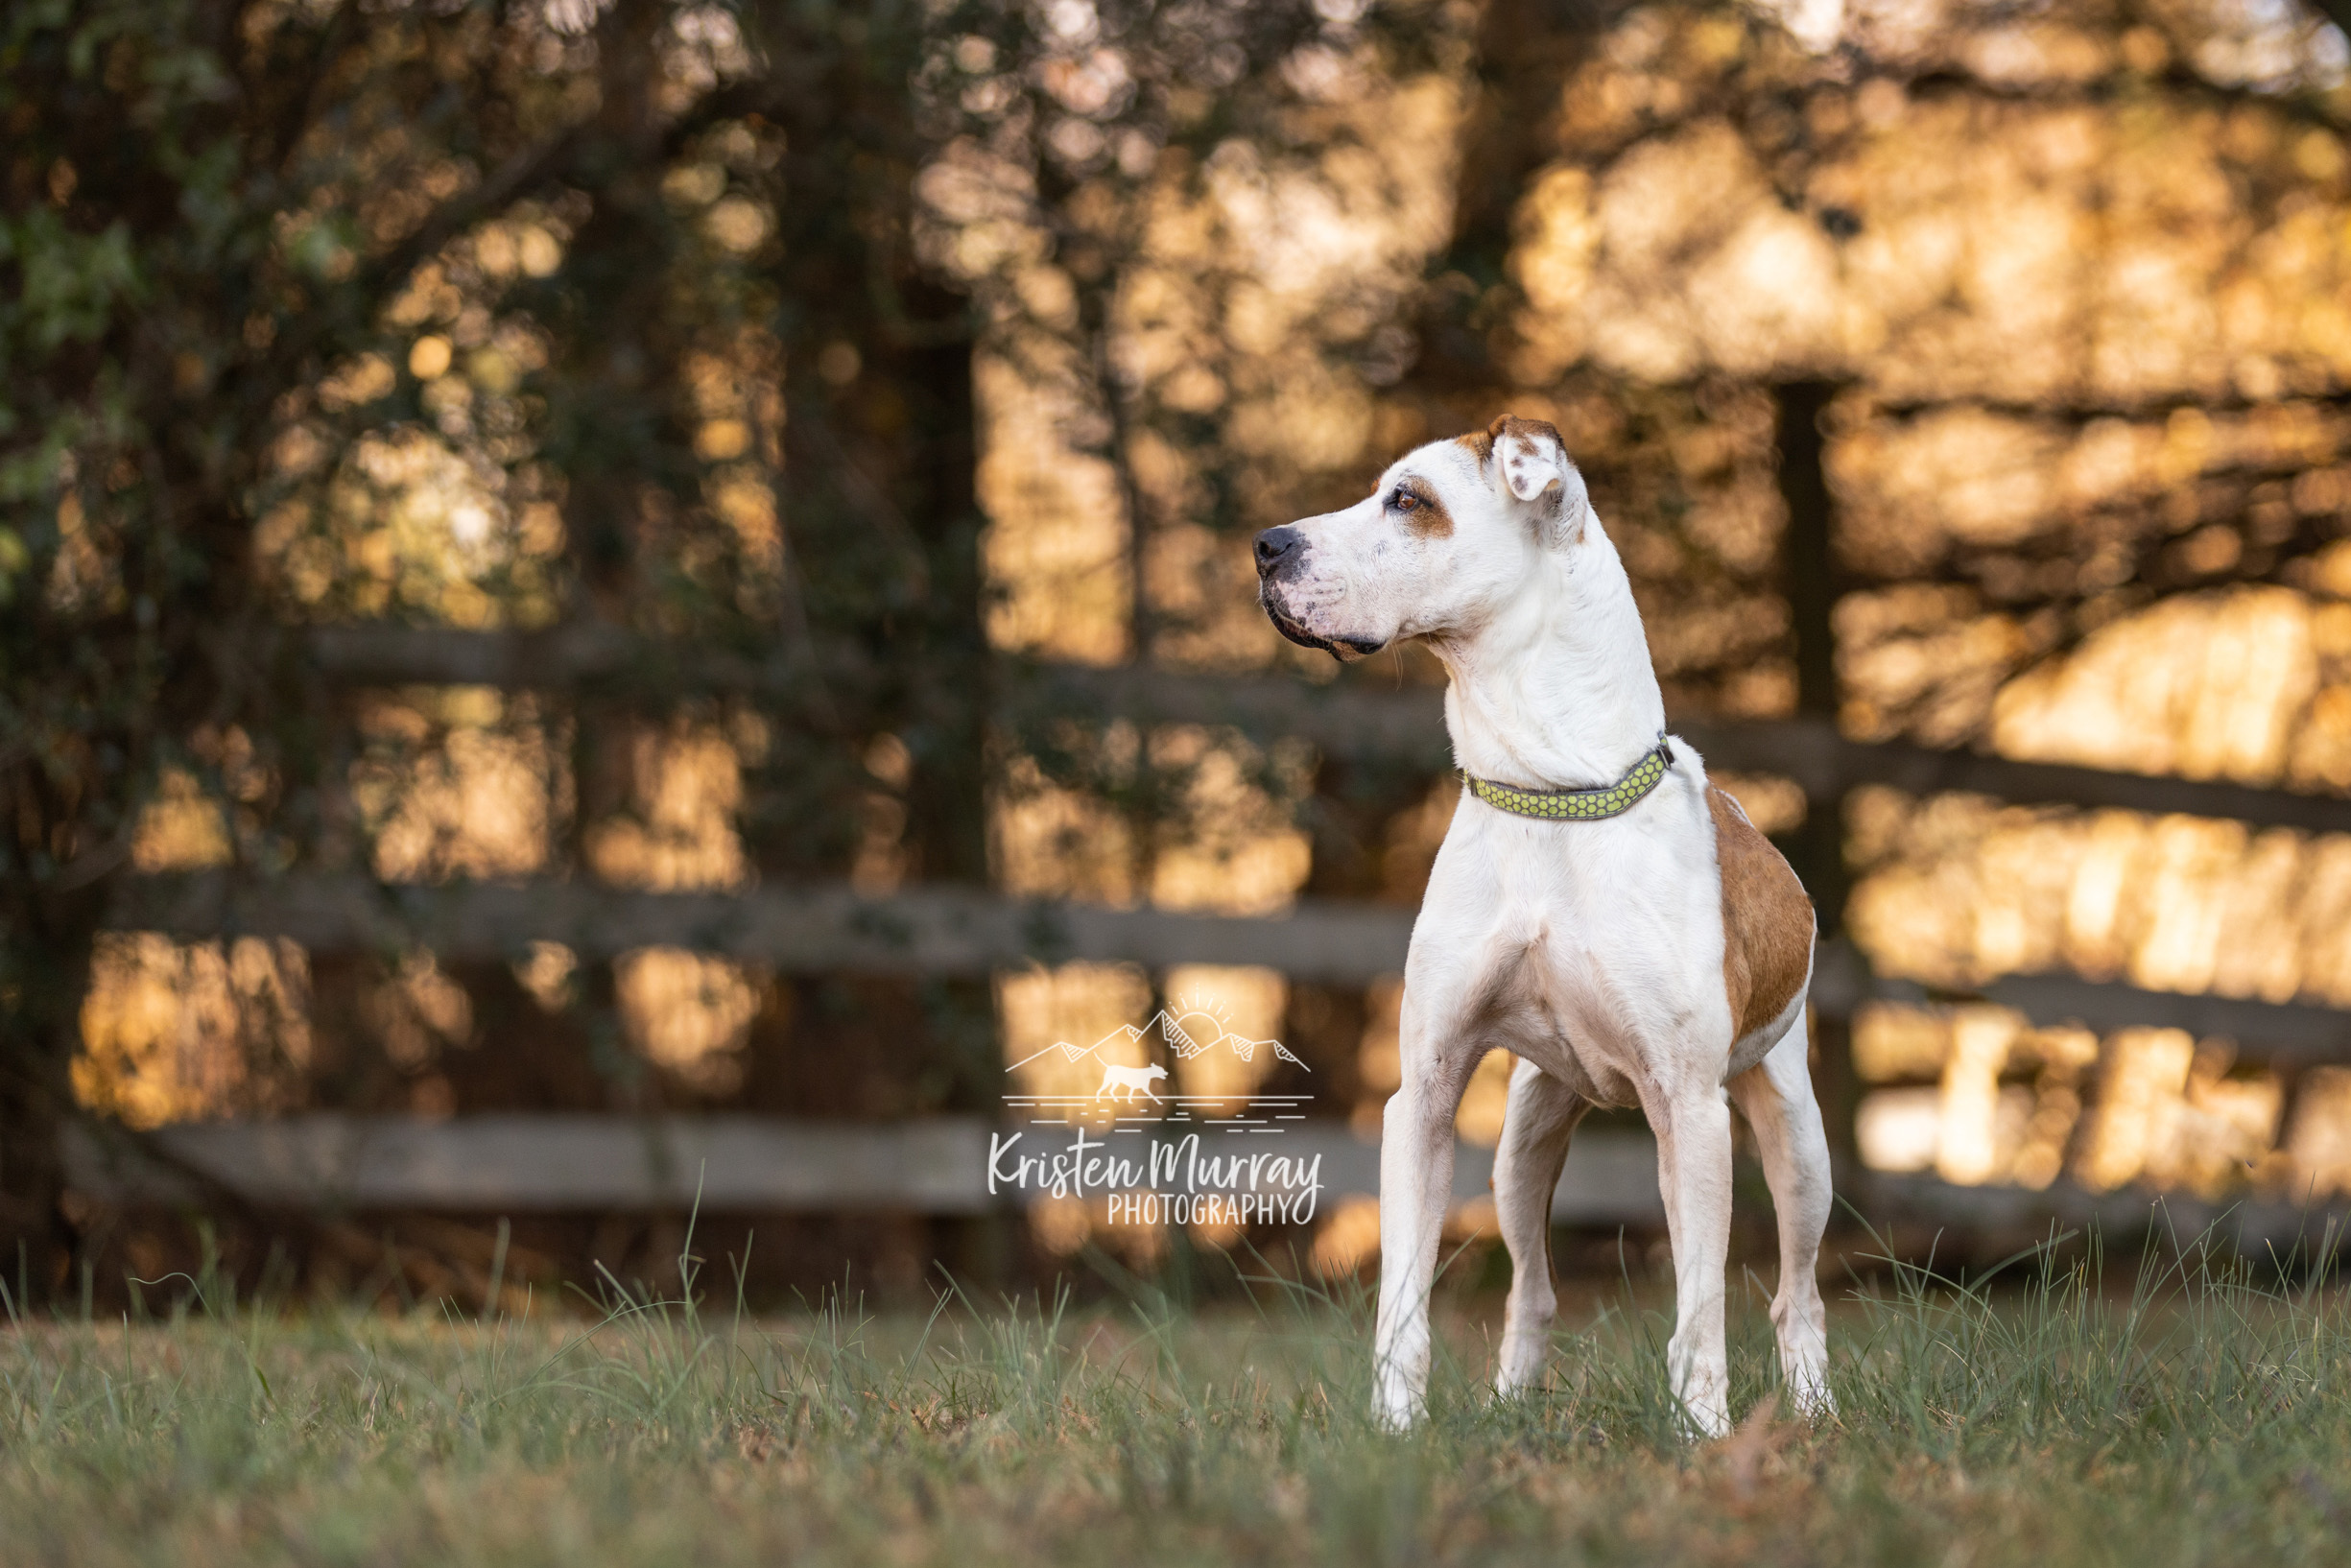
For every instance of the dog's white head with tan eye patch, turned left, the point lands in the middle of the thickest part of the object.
(1452, 532)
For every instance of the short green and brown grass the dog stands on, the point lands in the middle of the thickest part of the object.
(2164, 1419)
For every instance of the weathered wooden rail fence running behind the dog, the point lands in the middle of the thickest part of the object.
(970, 932)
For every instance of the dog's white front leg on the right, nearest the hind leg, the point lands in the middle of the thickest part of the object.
(1694, 1177)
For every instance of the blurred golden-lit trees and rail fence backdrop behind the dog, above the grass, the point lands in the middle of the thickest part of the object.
(612, 601)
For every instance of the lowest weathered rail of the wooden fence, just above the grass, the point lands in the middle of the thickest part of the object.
(939, 1167)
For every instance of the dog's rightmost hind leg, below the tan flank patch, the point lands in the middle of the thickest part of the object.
(1776, 1097)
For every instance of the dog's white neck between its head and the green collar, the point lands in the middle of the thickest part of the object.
(1555, 690)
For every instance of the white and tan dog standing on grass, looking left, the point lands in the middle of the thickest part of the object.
(1656, 958)
